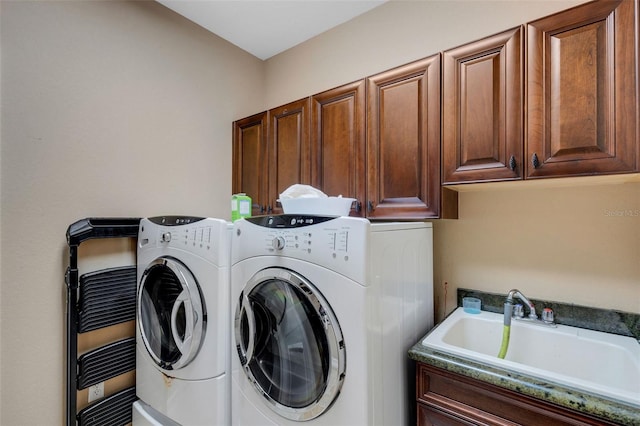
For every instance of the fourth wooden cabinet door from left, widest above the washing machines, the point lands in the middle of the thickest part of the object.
(403, 144)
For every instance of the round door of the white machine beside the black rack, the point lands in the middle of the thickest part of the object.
(171, 313)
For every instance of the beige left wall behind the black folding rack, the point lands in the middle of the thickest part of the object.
(109, 108)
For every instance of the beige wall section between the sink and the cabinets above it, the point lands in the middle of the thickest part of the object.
(575, 244)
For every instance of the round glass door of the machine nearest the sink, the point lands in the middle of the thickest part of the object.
(290, 343)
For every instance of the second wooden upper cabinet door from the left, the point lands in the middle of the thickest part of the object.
(288, 149)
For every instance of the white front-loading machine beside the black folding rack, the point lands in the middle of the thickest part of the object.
(182, 322)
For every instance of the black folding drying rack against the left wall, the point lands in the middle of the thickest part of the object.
(96, 300)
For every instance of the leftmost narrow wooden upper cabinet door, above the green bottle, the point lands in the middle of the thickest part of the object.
(250, 168)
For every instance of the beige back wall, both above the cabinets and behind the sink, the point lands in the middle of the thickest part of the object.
(555, 242)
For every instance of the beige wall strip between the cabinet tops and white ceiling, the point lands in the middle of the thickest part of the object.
(398, 32)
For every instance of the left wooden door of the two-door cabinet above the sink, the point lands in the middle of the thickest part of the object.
(482, 136)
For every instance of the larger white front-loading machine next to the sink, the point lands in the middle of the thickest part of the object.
(324, 311)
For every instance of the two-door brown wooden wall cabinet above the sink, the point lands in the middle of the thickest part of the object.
(580, 99)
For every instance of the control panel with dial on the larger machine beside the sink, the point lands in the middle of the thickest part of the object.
(339, 243)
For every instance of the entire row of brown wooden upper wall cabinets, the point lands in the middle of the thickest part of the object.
(557, 97)
